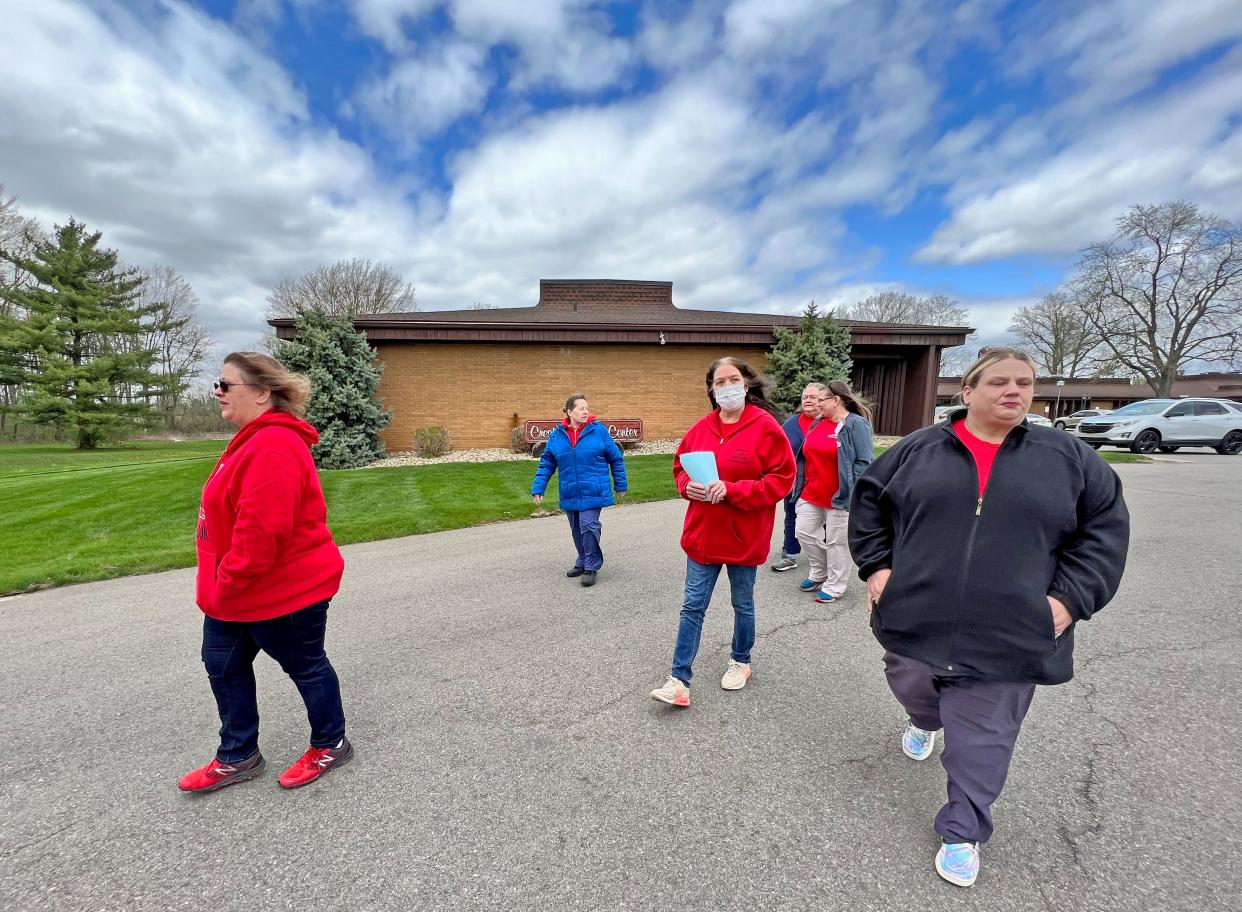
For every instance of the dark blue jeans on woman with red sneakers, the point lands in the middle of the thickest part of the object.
(296, 643)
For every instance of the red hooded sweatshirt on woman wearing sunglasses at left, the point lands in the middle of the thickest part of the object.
(264, 544)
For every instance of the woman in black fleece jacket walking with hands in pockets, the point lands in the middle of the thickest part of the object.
(983, 541)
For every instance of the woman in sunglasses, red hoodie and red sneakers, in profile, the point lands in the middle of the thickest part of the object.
(268, 568)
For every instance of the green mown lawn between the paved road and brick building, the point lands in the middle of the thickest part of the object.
(69, 516)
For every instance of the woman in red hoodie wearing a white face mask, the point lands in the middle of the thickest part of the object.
(730, 522)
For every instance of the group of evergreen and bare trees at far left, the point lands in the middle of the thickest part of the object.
(90, 346)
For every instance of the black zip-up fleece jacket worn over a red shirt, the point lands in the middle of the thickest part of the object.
(971, 577)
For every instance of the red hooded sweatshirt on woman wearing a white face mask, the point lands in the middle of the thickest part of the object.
(757, 467)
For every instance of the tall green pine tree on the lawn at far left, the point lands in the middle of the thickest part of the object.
(74, 350)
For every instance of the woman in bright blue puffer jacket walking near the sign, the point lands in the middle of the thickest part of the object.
(586, 455)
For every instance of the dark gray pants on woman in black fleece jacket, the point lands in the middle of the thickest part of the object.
(981, 721)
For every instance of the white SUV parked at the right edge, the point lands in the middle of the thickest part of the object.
(1167, 426)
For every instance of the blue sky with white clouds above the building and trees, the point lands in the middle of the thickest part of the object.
(757, 153)
